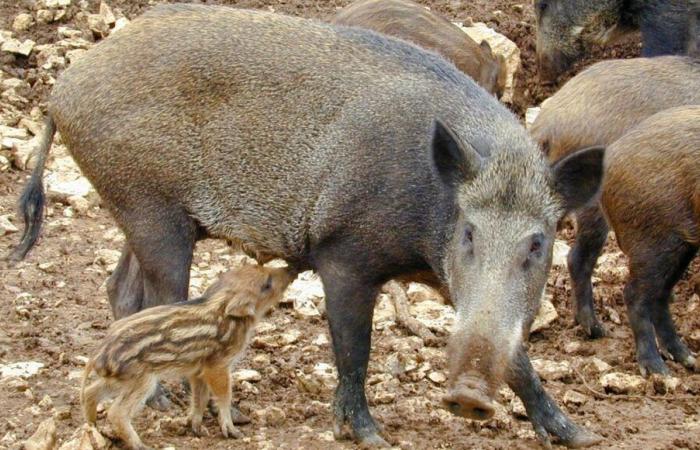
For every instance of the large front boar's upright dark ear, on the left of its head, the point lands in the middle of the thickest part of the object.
(454, 163)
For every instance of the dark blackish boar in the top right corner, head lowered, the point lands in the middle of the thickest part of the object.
(566, 28)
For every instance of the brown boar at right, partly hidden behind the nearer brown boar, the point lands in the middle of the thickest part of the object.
(597, 107)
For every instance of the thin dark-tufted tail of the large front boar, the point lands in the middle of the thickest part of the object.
(31, 202)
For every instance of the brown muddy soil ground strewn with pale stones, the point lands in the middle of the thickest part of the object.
(53, 309)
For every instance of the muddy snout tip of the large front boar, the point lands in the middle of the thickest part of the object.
(468, 398)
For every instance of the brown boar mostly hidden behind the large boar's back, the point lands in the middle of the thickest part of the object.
(408, 20)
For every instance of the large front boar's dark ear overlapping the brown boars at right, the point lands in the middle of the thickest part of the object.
(578, 177)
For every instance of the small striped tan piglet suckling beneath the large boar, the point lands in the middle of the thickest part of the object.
(199, 339)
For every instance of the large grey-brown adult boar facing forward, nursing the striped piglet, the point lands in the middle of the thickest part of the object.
(338, 149)
